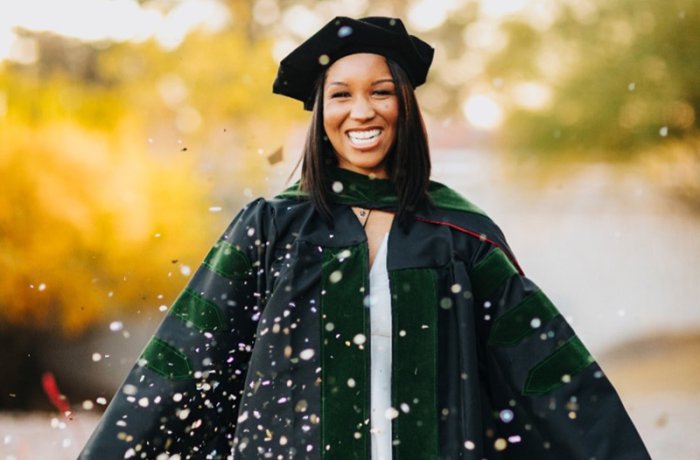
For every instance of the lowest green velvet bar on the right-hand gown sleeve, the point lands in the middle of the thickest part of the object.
(556, 369)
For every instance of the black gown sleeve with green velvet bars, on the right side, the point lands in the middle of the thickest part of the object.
(543, 394)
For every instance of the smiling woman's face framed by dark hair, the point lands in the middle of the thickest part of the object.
(360, 109)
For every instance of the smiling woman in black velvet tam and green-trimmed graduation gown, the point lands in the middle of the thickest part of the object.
(366, 311)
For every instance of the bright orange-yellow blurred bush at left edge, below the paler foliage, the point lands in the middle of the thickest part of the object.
(91, 223)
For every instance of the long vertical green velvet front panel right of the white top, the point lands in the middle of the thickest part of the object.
(414, 364)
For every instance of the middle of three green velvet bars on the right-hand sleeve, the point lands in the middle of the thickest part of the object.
(517, 323)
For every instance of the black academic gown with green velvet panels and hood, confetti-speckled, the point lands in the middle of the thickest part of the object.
(266, 352)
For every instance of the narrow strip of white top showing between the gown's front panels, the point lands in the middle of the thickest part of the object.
(380, 355)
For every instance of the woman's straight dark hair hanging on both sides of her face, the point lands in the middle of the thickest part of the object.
(408, 162)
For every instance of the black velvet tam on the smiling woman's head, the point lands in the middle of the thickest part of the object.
(298, 72)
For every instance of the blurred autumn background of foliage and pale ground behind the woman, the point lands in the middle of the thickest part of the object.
(131, 132)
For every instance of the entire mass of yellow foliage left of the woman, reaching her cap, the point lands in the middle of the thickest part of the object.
(109, 160)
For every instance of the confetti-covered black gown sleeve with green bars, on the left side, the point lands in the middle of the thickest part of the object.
(182, 395)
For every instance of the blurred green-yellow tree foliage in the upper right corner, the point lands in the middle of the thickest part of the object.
(623, 76)
